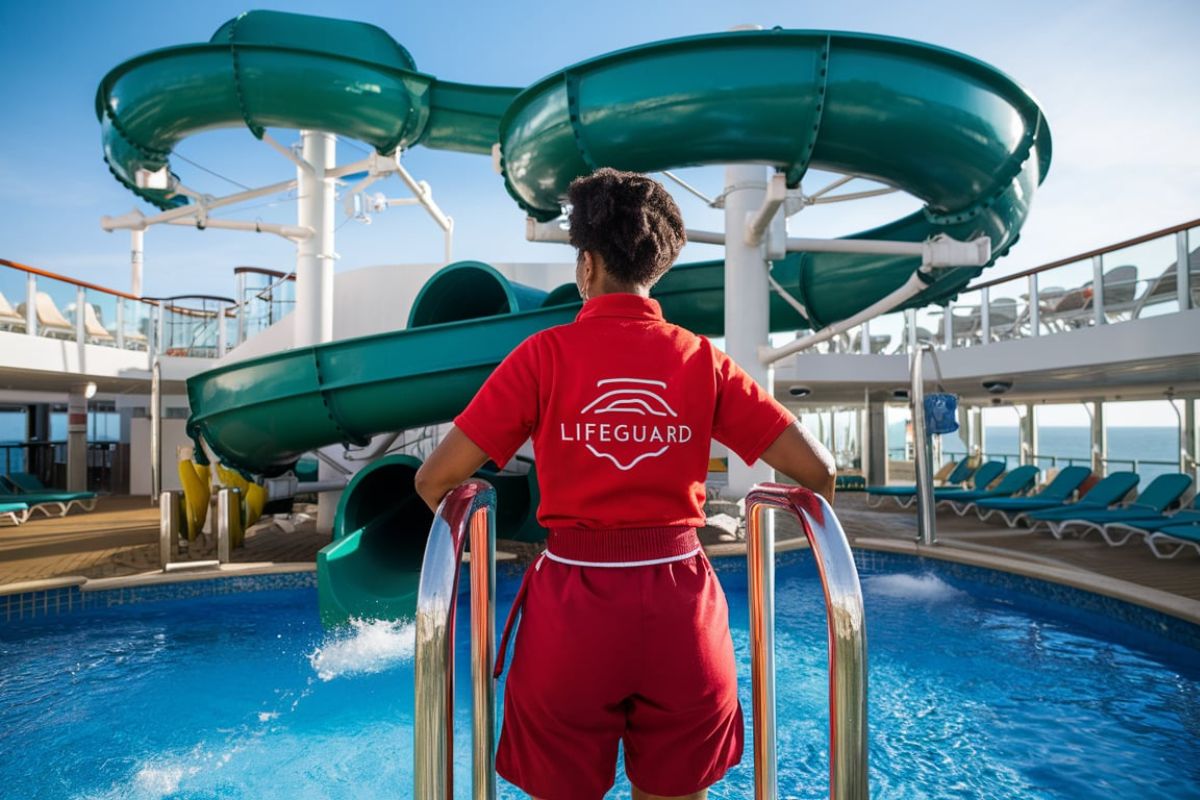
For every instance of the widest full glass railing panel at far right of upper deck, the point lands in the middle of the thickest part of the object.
(1141, 281)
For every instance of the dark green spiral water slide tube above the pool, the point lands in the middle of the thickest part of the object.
(953, 133)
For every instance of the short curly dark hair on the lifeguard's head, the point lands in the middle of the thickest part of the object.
(631, 221)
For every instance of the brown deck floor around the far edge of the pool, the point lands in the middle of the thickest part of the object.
(118, 545)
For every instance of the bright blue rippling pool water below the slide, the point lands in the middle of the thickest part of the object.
(976, 691)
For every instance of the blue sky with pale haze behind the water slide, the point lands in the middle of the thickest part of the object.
(1117, 81)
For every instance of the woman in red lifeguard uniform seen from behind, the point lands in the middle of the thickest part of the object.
(625, 631)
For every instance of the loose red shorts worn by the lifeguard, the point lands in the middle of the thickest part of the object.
(638, 654)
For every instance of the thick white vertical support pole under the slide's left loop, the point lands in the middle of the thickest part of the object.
(315, 268)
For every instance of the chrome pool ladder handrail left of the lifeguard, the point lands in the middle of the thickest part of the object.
(467, 513)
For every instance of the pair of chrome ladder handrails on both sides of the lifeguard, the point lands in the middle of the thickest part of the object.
(470, 513)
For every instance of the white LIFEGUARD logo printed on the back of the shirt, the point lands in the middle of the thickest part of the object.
(605, 431)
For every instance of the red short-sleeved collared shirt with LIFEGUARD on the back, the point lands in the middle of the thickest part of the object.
(622, 407)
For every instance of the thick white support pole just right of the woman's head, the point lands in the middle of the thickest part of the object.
(747, 299)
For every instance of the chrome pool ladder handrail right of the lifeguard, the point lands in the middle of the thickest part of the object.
(848, 639)
